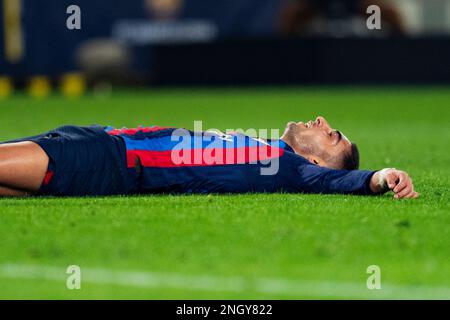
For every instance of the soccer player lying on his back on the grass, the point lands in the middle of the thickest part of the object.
(75, 161)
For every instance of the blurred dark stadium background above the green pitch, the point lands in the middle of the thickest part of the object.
(233, 42)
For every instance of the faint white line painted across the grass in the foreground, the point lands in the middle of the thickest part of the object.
(271, 287)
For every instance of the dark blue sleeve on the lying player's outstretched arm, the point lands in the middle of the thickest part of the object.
(315, 179)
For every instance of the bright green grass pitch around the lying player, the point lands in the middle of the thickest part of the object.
(240, 246)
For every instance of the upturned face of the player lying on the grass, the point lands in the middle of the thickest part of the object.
(317, 141)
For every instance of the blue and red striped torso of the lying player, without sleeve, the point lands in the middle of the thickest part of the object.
(177, 160)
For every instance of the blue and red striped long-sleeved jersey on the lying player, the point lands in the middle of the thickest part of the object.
(174, 160)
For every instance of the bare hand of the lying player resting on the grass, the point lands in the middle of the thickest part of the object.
(392, 179)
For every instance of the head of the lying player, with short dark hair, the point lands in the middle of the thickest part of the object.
(321, 144)
